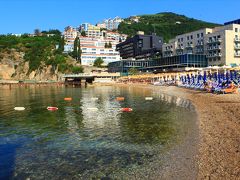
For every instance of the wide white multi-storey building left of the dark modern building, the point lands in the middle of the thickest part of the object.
(93, 48)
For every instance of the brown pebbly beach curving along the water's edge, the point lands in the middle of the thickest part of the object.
(218, 154)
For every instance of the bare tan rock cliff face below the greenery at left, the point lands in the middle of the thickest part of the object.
(14, 67)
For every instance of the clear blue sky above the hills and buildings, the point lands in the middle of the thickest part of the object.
(20, 16)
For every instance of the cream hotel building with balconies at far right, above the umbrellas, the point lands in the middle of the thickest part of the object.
(221, 45)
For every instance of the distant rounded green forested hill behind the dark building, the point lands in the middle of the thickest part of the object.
(168, 25)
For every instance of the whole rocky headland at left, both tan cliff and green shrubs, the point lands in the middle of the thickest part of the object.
(37, 57)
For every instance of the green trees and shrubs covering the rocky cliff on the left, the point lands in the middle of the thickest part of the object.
(38, 52)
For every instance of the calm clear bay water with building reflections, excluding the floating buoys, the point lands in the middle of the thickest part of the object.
(86, 138)
